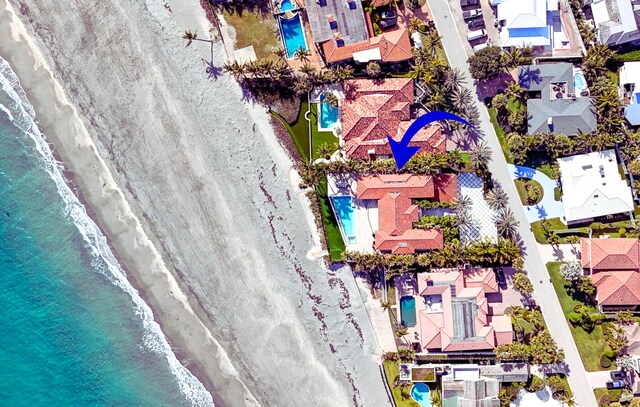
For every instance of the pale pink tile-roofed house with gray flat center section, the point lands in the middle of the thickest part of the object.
(454, 314)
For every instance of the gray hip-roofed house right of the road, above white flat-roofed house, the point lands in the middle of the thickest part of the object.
(569, 116)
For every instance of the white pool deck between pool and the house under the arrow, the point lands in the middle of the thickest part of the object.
(365, 216)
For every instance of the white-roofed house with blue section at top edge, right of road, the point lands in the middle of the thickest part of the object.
(531, 22)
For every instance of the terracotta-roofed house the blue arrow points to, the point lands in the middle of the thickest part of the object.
(397, 213)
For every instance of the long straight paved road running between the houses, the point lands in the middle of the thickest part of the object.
(534, 264)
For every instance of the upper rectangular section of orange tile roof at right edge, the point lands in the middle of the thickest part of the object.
(610, 254)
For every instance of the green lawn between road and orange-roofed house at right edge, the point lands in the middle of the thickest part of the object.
(591, 345)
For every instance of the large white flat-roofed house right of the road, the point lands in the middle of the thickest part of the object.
(592, 187)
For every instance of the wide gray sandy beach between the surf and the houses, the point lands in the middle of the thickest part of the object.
(198, 199)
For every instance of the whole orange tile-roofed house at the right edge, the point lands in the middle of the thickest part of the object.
(614, 265)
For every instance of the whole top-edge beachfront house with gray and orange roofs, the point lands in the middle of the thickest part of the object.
(344, 32)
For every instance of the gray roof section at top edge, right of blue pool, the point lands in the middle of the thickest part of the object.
(350, 20)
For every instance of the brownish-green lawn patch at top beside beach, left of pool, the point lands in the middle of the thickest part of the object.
(254, 29)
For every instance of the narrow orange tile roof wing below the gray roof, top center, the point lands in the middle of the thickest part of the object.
(394, 47)
